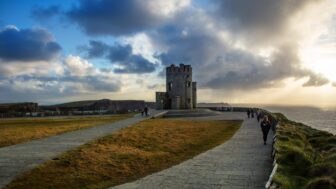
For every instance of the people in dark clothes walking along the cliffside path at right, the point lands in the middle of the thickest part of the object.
(265, 124)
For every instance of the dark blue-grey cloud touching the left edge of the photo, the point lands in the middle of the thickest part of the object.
(27, 45)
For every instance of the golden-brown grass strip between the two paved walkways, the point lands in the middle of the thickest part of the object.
(129, 154)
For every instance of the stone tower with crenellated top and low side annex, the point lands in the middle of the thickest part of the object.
(181, 90)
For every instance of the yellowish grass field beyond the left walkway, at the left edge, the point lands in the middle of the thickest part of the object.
(14, 131)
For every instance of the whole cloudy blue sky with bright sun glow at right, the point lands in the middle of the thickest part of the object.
(258, 51)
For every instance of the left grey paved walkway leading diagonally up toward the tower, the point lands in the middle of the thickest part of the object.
(21, 157)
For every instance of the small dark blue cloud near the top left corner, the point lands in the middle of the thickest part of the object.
(42, 14)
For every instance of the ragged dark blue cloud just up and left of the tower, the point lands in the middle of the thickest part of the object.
(120, 55)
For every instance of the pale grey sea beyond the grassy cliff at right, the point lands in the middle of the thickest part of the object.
(319, 118)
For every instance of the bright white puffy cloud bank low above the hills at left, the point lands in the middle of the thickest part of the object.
(77, 77)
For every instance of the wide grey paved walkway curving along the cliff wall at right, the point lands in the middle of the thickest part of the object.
(243, 162)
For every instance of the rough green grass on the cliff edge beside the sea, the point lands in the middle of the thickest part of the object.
(306, 157)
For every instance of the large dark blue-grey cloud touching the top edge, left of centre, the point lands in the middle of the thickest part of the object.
(112, 17)
